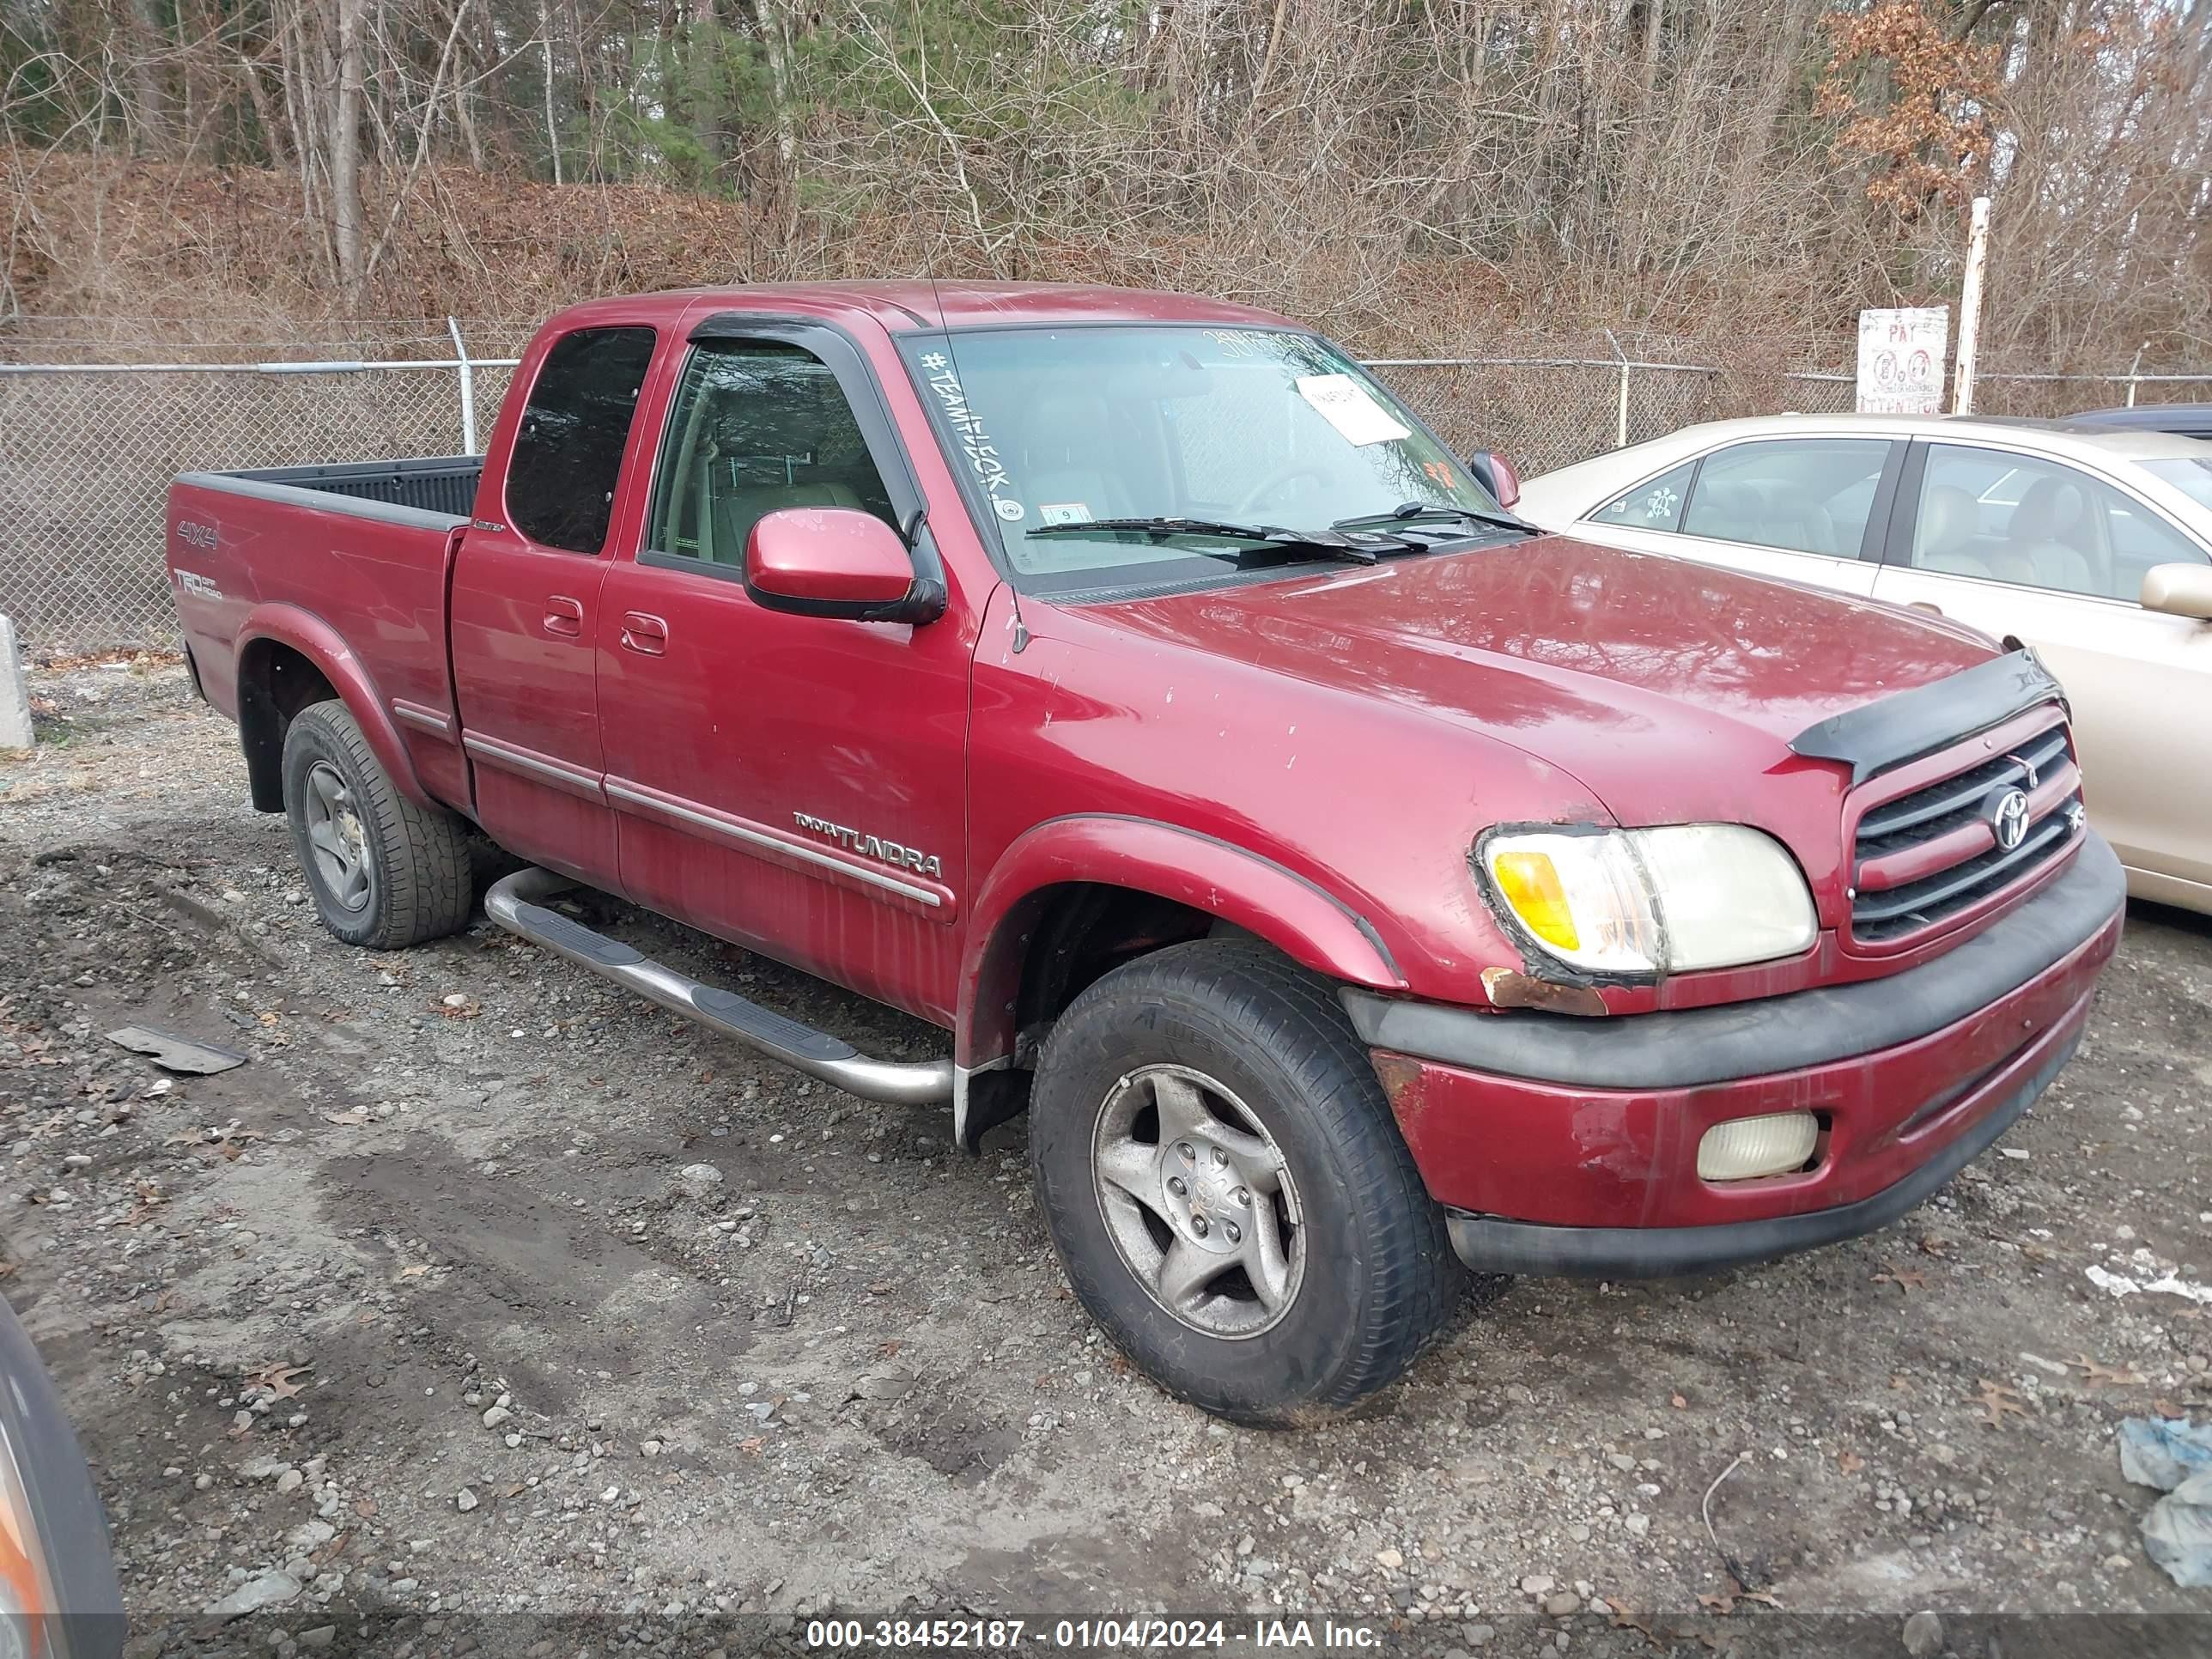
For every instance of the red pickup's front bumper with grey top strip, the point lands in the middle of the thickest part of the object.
(1569, 1147)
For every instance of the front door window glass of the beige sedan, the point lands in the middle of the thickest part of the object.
(2038, 523)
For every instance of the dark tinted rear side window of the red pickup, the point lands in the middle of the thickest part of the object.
(561, 479)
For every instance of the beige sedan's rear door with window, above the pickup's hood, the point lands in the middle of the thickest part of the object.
(1802, 510)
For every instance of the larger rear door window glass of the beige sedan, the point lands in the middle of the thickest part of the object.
(1799, 497)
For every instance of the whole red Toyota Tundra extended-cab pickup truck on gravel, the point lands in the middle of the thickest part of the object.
(1344, 875)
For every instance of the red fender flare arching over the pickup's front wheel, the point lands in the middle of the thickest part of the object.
(1295, 915)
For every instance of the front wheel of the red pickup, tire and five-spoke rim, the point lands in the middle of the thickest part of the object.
(1227, 1189)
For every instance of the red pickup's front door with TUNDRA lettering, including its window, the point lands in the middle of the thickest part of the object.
(793, 784)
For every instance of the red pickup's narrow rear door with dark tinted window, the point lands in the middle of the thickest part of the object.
(525, 603)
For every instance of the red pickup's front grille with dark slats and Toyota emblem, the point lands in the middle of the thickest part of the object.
(1923, 857)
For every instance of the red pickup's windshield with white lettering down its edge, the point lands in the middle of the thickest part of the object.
(1229, 426)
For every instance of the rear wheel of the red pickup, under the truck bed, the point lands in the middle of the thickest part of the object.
(410, 866)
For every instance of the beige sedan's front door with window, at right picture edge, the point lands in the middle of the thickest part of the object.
(2027, 545)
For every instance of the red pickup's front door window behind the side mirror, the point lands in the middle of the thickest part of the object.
(758, 426)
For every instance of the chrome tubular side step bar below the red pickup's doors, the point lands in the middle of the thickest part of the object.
(514, 906)
